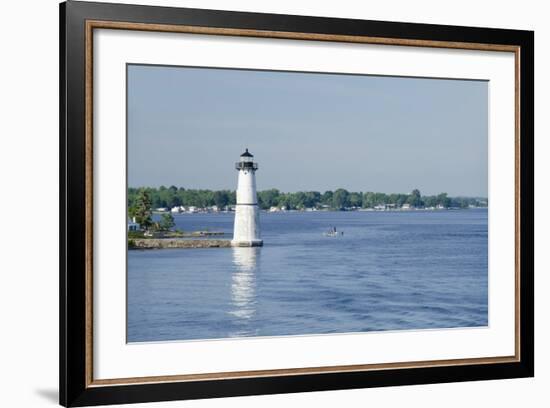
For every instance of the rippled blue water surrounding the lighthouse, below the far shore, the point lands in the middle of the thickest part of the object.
(390, 271)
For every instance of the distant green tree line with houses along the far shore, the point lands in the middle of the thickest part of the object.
(340, 199)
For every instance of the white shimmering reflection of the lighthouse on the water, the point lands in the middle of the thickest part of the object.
(243, 284)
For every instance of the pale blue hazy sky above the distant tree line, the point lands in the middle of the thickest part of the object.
(187, 127)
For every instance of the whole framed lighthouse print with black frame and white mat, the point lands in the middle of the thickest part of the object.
(256, 203)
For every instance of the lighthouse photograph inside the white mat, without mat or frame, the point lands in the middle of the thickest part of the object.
(265, 203)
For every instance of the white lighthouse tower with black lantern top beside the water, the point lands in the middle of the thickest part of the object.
(246, 232)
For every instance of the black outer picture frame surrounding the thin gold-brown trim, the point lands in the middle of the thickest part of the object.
(74, 387)
